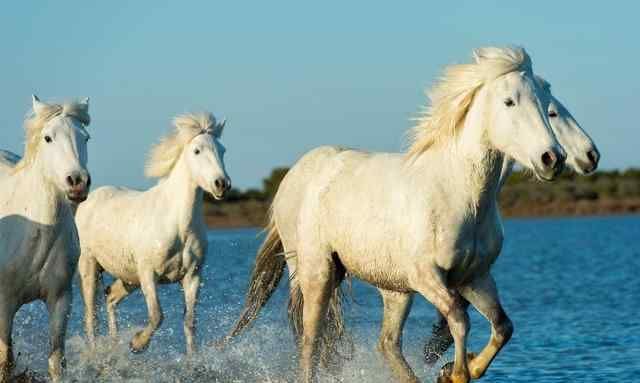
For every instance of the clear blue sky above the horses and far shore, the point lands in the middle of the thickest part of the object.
(293, 75)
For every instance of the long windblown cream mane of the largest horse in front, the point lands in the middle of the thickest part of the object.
(451, 97)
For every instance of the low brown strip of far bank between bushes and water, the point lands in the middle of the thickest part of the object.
(252, 213)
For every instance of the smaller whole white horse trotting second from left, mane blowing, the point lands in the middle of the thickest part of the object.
(158, 235)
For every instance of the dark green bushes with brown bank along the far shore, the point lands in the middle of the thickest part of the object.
(605, 192)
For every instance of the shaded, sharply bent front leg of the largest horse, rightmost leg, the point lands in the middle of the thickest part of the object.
(483, 295)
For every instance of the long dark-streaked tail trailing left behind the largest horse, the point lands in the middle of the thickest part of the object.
(266, 275)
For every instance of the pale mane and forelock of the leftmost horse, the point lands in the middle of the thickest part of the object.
(35, 122)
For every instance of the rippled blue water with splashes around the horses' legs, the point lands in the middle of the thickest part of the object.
(570, 285)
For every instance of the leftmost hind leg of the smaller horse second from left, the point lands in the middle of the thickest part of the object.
(88, 272)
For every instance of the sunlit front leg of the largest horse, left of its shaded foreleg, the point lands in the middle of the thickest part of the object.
(430, 282)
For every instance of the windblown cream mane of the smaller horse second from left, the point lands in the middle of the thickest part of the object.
(164, 155)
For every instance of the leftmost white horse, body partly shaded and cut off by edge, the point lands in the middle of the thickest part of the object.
(39, 246)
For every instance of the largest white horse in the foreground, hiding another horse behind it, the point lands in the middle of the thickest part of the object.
(426, 221)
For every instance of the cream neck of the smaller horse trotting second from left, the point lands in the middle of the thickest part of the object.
(183, 196)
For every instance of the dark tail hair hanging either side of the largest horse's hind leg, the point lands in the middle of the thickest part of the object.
(334, 333)
